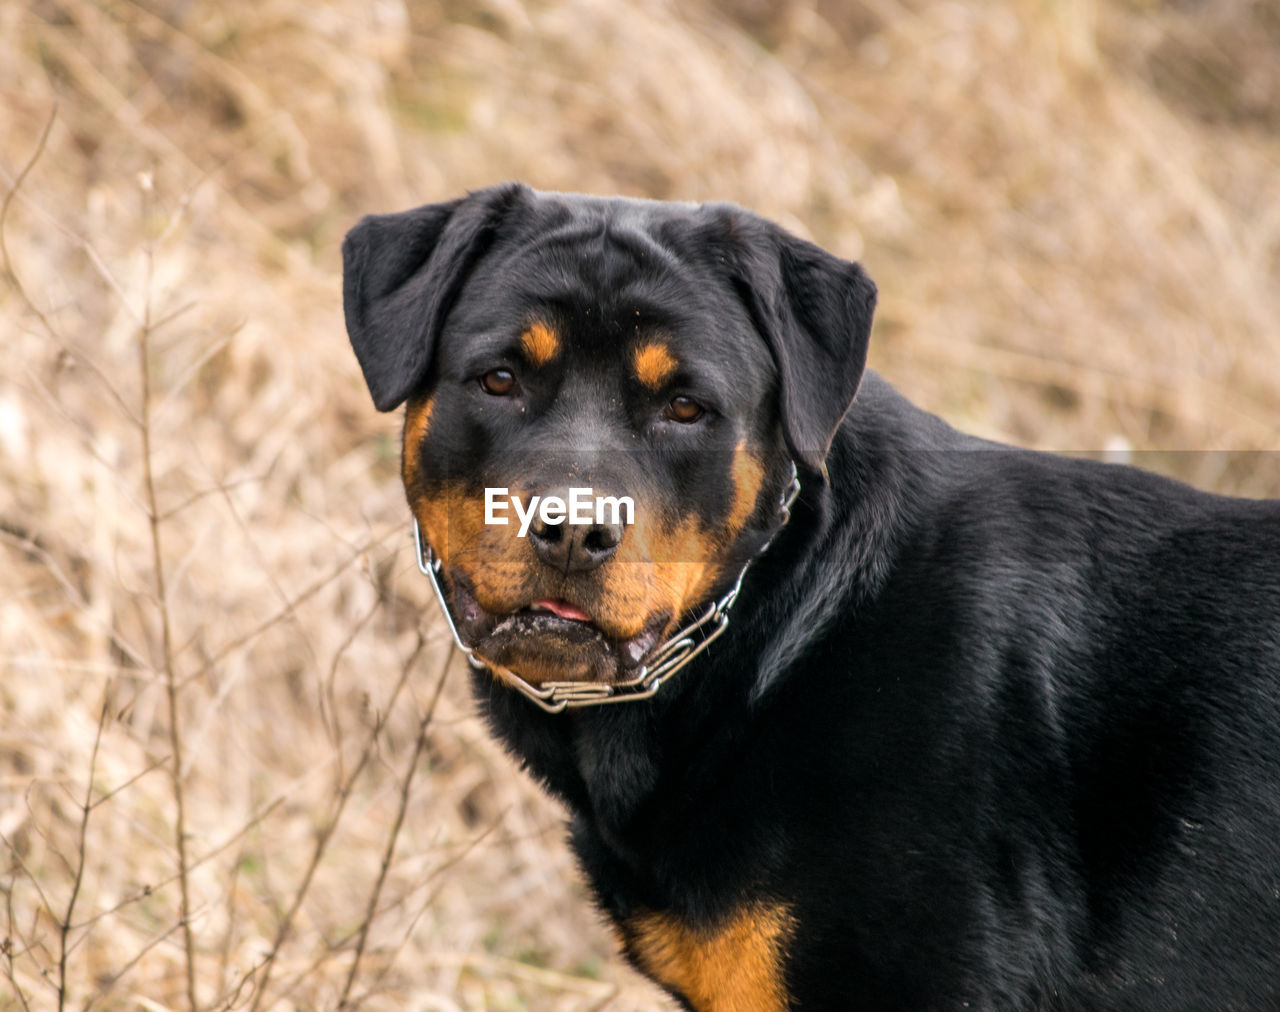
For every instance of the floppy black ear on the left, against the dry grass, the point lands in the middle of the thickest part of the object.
(401, 274)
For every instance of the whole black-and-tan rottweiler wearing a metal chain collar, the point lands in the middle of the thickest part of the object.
(854, 711)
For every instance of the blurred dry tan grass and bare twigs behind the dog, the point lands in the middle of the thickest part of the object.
(232, 775)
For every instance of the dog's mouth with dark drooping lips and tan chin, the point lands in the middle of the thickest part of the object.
(551, 640)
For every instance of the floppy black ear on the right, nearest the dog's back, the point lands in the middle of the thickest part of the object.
(815, 310)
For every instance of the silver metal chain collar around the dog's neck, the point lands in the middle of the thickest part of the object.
(671, 656)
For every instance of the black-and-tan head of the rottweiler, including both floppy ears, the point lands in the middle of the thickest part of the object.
(675, 356)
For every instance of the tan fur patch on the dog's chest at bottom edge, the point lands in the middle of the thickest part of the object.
(734, 968)
